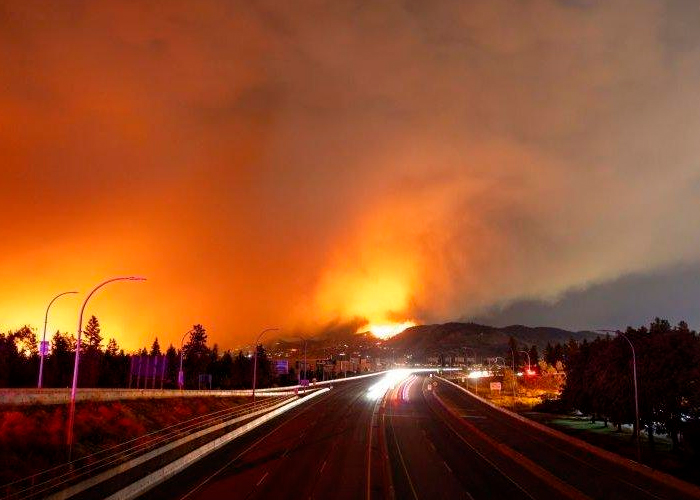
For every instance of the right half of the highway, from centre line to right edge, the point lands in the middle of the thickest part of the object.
(444, 443)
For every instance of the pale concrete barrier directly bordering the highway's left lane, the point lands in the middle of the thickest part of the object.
(142, 485)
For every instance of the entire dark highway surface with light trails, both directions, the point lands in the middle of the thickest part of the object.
(439, 443)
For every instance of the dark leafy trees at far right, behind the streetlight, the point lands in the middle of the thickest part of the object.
(599, 379)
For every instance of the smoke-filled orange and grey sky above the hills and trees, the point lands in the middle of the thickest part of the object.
(313, 165)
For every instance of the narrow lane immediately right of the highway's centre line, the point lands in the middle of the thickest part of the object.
(418, 470)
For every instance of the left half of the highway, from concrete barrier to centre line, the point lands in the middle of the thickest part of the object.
(320, 450)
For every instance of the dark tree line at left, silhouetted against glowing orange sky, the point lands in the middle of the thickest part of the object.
(107, 365)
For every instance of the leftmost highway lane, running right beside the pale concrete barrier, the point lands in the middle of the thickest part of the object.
(237, 469)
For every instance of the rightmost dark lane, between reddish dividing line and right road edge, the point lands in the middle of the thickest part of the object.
(590, 474)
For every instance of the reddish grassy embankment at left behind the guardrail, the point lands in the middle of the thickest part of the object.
(32, 438)
